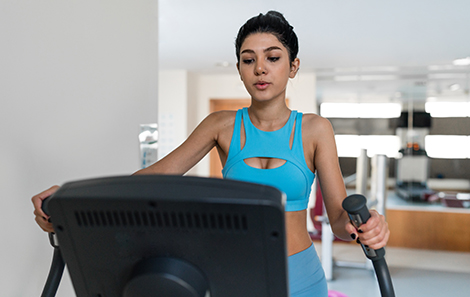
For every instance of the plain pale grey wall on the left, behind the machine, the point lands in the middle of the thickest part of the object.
(77, 78)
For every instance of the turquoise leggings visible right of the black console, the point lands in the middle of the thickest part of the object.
(306, 276)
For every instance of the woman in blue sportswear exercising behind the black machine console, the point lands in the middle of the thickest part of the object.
(269, 144)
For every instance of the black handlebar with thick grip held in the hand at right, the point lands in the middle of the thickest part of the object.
(356, 206)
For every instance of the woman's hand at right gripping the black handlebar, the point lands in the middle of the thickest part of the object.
(374, 233)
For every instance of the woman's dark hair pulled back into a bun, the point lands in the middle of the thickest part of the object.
(272, 22)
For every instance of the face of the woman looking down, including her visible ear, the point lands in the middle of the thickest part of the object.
(264, 67)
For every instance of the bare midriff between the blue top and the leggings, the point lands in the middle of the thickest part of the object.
(297, 235)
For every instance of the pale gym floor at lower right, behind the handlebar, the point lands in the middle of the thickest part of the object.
(414, 273)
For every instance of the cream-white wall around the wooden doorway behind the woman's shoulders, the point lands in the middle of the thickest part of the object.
(300, 91)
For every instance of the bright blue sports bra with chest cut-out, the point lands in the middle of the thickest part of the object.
(293, 178)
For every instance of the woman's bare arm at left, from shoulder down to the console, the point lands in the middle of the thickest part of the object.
(192, 150)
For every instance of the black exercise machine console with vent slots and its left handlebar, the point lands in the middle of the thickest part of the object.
(161, 235)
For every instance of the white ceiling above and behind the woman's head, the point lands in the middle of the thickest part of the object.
(360, 49)
